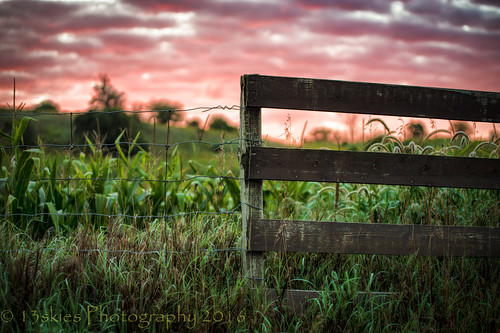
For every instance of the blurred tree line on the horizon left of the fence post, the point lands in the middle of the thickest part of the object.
(105, 127)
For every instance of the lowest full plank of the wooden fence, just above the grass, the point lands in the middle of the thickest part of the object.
(368, 238)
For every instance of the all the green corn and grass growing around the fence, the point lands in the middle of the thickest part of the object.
(127, 291)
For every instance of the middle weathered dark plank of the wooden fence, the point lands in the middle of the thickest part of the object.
(373, 168)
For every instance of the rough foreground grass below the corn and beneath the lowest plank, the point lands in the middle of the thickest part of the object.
(430, 293)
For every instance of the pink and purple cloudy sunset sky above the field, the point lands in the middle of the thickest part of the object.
(194, 51)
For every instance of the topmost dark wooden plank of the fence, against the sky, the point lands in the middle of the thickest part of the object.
(371, 98)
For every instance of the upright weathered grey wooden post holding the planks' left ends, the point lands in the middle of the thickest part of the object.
(251, 190)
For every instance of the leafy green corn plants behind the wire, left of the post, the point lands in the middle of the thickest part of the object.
(128, 183)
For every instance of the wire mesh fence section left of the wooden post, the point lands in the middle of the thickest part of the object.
(59, 171)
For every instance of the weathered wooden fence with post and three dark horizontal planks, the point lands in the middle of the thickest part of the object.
(258, 163)
